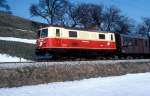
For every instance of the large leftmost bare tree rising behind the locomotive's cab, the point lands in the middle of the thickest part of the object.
(51, 10)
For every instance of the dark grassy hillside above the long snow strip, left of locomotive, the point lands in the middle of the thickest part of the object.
(14, 26)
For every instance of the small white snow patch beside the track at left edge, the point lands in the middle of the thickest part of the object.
(7, 58)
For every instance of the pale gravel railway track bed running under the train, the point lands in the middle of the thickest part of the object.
(12, 65)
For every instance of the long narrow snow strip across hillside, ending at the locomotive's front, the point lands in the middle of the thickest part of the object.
(31, 41)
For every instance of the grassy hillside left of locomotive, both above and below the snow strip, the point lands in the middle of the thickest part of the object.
(14, 26)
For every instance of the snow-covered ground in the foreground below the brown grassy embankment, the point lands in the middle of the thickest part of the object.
(127, 85)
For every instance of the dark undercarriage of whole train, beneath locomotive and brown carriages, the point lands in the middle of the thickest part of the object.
(82, 54)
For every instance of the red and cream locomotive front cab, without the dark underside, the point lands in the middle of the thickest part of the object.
(48, 37)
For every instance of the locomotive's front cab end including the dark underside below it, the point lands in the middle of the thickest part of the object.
(47, 39)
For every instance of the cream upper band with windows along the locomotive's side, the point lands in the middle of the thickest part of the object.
(85, 35)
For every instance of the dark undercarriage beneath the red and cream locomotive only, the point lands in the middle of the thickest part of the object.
(59, 54)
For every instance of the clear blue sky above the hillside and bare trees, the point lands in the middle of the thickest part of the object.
(135, 9)
